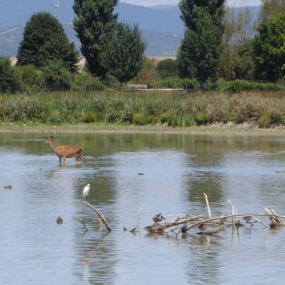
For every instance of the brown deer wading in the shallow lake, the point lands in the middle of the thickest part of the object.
(65, 151)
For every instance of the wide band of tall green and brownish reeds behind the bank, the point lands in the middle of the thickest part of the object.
(151, 107)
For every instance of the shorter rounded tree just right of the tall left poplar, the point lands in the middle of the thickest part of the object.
(124, 58)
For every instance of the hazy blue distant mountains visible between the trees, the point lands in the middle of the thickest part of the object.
(161, 24)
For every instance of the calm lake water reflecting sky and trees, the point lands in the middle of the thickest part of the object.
(36, 250)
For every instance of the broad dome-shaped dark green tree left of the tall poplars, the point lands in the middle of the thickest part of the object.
(45, 40)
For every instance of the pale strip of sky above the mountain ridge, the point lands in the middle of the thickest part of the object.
(175, 2)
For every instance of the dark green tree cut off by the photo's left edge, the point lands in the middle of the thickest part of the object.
(6, 72)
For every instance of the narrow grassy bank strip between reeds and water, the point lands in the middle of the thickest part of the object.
(216, 128)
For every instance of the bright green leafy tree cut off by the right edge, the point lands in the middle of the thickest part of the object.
(269, 49)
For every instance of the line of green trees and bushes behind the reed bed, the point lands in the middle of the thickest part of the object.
(219, 42)
